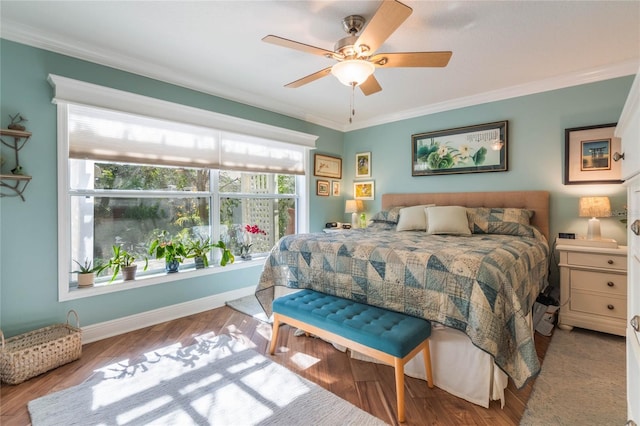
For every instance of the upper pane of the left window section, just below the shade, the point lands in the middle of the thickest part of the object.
(86, 174)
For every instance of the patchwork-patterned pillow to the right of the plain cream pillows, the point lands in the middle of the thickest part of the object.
(506, 221)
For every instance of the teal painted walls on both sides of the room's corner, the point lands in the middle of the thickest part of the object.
(28, 230)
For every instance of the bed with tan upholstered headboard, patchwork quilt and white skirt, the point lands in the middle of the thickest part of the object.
(477, 288)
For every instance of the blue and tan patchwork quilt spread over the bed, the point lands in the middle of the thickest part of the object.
(483, 284)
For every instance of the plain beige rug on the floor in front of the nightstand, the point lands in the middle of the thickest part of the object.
(582, 381)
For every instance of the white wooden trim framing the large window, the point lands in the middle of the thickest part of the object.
(67, 90)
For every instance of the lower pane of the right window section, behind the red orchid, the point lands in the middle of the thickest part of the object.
(275, 217)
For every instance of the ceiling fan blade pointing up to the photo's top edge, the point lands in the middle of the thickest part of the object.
(389, 16)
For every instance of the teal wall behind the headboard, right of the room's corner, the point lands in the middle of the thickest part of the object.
(535, 150)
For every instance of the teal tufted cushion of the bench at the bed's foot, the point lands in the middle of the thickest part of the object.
(390, 332)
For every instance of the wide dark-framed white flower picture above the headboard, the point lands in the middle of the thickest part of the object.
(470, 149)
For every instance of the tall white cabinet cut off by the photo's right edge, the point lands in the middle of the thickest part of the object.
(628, 130)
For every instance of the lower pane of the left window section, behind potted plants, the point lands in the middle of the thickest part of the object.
(98, 223)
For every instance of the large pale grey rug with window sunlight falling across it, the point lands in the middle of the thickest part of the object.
(214, 382)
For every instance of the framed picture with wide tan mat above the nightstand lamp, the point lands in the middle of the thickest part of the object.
(589, 155)
